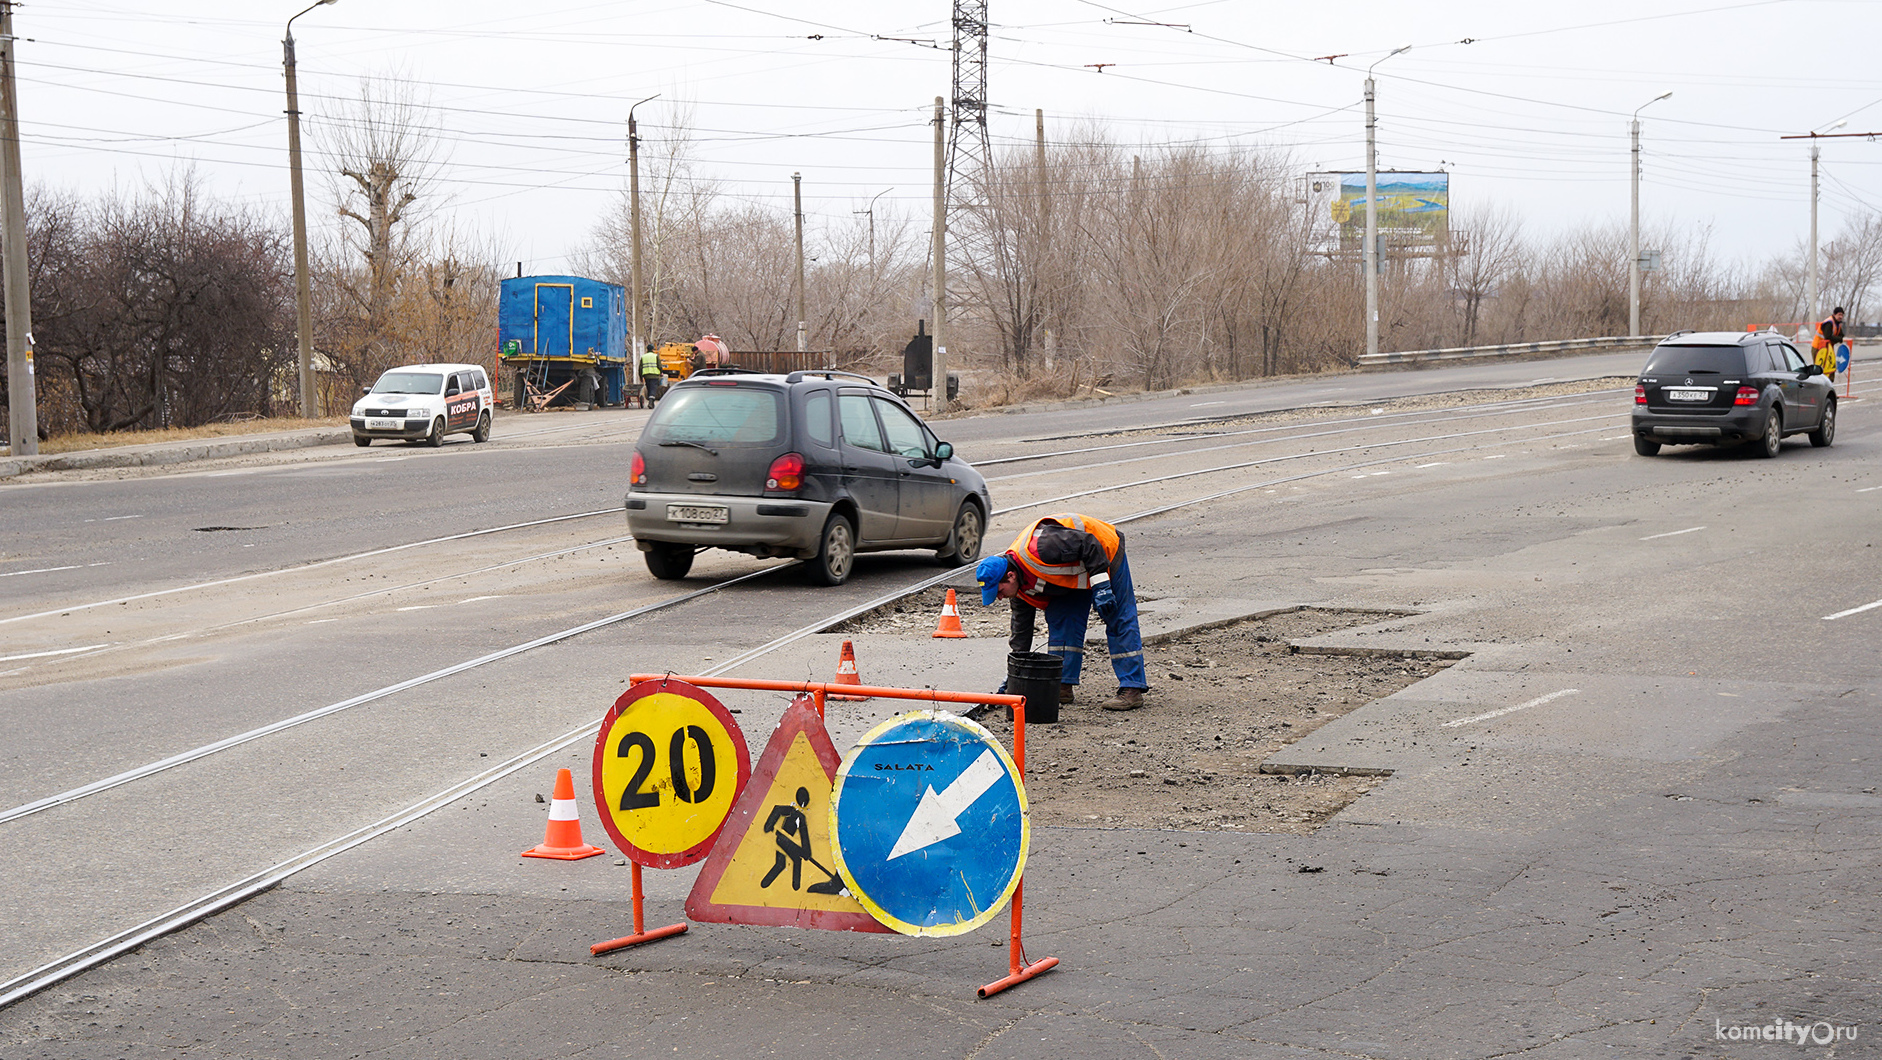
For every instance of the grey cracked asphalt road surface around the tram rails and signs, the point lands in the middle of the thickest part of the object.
(1640, 814)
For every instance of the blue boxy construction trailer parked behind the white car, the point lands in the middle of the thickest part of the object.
(564, 338)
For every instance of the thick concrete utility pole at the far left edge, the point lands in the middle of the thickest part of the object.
(24, 413)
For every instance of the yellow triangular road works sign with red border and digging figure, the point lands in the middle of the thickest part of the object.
(774, 863)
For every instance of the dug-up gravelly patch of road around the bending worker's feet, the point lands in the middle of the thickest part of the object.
(1222, 701)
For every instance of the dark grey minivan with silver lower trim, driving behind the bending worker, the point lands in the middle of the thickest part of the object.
(814, 466)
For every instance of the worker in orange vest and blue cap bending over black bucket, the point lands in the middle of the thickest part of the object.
(1070, 566)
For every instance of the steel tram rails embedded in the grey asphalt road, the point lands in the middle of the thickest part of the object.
(251, 886)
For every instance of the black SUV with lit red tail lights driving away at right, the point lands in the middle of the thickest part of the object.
(1727, 389)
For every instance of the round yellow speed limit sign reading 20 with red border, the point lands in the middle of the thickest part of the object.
(669, 765)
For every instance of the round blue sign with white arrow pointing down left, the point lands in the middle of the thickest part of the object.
(929, 824)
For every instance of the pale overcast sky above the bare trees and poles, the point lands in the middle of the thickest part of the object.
(530, 101)
